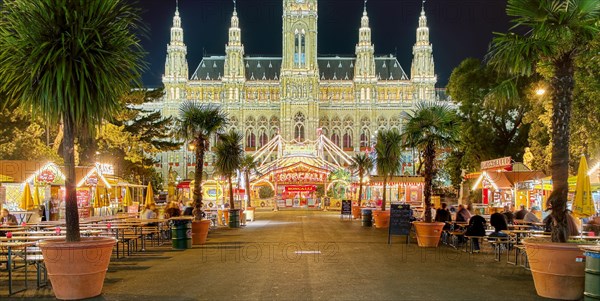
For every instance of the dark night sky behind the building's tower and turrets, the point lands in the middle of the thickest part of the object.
(458, 29)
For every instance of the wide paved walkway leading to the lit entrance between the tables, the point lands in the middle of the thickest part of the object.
(262, 262)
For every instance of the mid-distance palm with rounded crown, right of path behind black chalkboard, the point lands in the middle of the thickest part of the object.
(431, 126)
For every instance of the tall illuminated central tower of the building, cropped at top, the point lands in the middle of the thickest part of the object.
(299, 70)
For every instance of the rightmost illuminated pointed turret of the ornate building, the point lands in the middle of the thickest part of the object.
(422, 70)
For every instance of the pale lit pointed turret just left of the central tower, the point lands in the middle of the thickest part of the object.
(234, 60)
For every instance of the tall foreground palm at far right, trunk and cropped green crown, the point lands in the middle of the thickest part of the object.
(546, 38)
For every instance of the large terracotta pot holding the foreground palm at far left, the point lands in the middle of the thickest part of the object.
(77, 269)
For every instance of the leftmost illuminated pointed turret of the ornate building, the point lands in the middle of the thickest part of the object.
(176, 67)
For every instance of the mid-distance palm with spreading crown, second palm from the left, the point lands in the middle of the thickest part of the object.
(197, 123)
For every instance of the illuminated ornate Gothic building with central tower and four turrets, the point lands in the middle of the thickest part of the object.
(349, 98)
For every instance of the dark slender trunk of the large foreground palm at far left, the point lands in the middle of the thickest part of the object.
(71, 212)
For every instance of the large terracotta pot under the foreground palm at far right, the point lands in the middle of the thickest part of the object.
(558, 269)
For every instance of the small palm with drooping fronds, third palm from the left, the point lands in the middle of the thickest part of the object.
(229, 153)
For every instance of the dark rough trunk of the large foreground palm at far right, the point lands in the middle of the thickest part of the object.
(562, 96)
